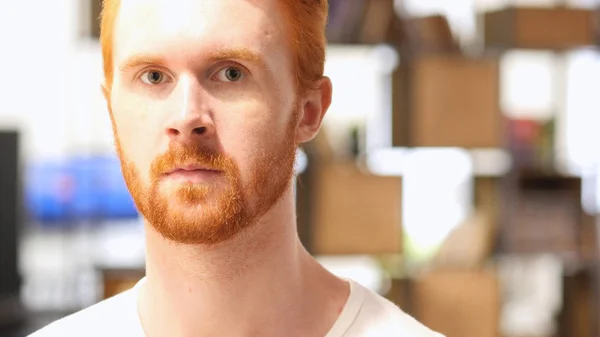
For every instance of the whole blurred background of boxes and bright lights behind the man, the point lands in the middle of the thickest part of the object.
(456, 173)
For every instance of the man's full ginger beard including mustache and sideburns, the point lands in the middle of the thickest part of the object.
(206, 213)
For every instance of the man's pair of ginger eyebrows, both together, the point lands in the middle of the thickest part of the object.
(243, 54)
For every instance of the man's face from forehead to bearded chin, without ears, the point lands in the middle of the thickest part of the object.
(204, 113)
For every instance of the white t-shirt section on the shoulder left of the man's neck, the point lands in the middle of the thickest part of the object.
(111, 317)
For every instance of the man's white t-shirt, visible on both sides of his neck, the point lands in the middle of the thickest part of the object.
(366, 314)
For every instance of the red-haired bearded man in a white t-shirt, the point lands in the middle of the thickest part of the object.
(209, 100)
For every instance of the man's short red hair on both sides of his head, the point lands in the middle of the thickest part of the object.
(306, 21)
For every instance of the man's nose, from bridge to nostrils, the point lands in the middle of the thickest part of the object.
(191, 120)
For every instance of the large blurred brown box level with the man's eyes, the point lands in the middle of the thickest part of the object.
(447, 101)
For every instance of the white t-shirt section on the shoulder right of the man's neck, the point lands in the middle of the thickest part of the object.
(380, 317)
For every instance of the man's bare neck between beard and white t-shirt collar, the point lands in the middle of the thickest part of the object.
(237, 287)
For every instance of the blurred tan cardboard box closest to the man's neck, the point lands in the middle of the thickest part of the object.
(355, 212)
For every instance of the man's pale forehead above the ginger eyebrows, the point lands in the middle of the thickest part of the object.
(190, 27)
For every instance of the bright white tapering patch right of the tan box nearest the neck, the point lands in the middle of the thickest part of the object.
(437, 197)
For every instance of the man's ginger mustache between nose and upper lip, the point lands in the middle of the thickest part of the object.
(179, 156)
